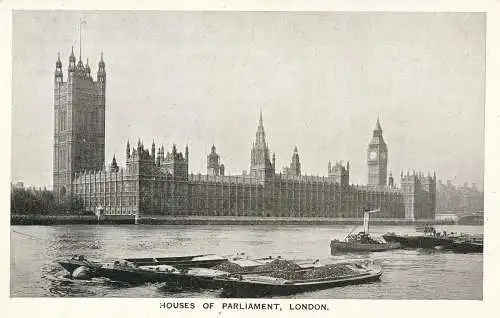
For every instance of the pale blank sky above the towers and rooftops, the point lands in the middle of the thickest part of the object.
(320, 79)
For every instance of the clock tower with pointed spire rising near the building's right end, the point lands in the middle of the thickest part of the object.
(377, 158)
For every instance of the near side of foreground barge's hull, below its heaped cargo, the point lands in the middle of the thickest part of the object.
(285, 283)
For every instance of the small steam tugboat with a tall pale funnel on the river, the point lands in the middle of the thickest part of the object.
(362, 242)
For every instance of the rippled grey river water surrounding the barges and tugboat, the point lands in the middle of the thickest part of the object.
(408, 274)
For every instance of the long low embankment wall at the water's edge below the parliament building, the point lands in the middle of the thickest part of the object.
(206, 220)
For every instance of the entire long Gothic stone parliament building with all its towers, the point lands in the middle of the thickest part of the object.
(156, 181)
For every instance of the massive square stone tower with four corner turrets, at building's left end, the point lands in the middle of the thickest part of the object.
(79, 122)
